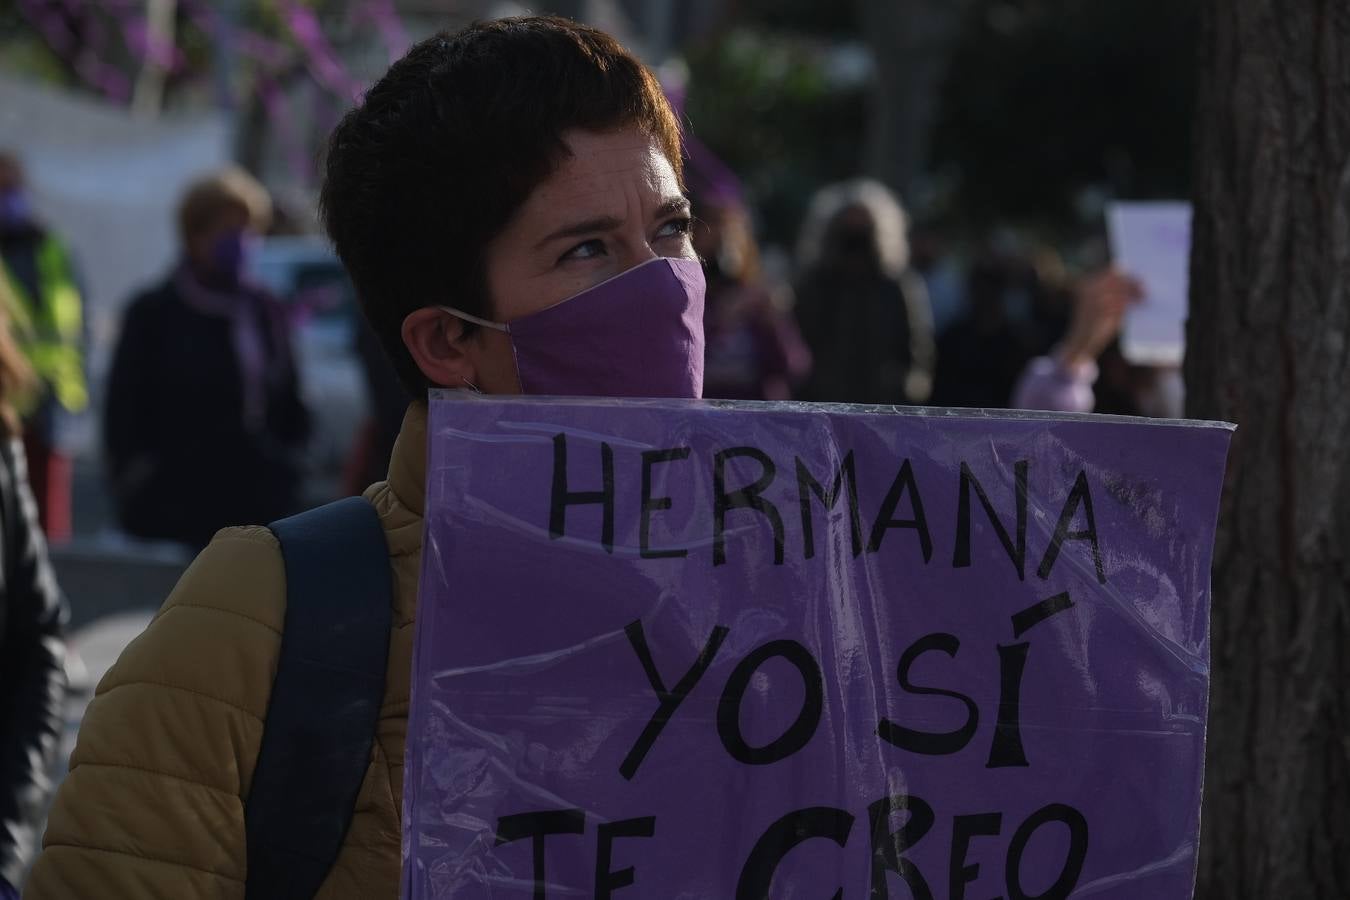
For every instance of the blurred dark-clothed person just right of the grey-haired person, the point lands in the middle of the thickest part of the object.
(981, 357)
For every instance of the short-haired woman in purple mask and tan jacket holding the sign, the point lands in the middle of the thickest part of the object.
(488, 177)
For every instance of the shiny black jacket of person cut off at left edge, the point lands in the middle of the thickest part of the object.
(33, 679)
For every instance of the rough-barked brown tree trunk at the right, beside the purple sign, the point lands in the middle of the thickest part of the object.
(1270, 349)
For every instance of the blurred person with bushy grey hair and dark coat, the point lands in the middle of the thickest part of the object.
(863, 311)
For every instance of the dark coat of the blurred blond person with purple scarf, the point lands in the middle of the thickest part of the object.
(184, 463)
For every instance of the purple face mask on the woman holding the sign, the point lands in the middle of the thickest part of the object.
(637, 335)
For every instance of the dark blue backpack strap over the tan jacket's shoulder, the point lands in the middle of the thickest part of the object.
(325, 701)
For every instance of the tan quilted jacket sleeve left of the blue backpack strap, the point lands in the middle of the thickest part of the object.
(155, 804)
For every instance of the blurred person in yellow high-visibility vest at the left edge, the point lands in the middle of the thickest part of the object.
(47, 314)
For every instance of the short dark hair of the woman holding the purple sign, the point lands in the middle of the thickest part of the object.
(450, 144)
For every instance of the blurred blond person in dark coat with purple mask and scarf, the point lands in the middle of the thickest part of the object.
(205, 424)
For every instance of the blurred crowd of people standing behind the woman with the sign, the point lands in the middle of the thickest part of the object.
(867, 311)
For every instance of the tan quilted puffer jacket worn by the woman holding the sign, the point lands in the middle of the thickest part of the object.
(155, 804)
